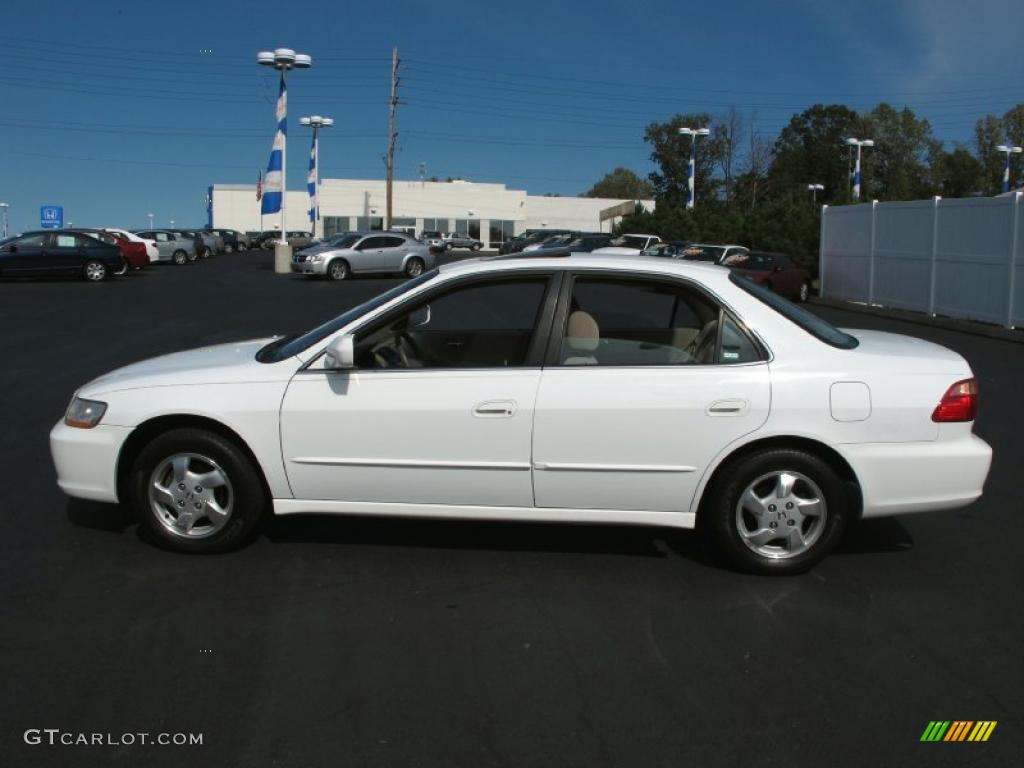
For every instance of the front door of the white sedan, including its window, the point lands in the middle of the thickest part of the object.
(440, 408)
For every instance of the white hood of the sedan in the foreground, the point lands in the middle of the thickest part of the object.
(215, 365)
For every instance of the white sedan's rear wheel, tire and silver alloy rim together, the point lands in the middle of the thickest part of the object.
(781, 511)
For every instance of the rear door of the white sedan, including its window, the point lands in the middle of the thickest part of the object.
(649, 381)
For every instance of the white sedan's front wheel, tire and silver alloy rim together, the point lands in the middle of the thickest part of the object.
(196, 491)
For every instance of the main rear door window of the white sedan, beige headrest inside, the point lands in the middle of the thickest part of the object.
(638, 323)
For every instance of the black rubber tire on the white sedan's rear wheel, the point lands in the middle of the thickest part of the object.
(719, 516)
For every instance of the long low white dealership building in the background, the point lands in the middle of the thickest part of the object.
(488, 211)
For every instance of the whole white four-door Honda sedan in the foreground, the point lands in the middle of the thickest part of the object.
(582, 389)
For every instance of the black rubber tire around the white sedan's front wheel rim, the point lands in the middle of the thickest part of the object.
(249, 499)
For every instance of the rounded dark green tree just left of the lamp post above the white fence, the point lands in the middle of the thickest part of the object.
(813, 149)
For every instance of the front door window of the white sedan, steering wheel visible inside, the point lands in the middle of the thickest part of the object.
(482, 325)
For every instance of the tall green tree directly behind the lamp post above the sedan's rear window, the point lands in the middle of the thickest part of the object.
(671, 153)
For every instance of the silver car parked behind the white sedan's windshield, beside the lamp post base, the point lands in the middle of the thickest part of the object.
(360, 253)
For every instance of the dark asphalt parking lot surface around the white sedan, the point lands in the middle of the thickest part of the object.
(348, 642)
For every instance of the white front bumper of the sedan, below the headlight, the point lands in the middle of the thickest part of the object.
(87, 460)
